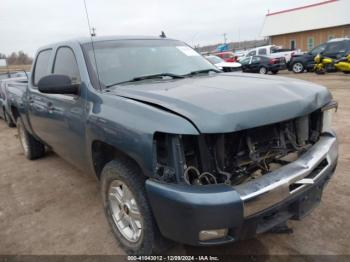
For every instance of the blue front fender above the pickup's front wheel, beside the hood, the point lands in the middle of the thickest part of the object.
(129, 126)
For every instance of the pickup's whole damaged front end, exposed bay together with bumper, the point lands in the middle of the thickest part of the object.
(218, 188)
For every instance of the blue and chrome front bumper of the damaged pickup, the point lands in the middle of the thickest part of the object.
(290, 192)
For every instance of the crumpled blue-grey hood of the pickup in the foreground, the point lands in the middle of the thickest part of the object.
(230, 102)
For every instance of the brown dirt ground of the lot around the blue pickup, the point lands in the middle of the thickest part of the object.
(49, 207)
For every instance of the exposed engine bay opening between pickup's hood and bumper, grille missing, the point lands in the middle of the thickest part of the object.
(234, 158)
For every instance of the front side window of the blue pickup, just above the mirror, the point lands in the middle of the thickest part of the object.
(66, 64)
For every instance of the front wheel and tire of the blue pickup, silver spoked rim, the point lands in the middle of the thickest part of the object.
(127, 209)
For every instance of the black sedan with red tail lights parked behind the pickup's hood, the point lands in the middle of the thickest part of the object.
(263, 64)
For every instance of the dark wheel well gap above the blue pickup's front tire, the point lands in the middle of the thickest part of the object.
(103, 153)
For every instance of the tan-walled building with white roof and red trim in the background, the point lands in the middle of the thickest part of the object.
(308, 26)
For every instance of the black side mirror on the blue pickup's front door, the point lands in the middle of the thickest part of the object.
(57, 84)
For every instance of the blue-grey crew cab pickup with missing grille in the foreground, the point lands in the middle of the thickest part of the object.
(182, 152)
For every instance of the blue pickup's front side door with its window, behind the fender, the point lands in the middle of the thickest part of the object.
(66, 122)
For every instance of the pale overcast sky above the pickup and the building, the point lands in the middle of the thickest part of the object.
(28, 24)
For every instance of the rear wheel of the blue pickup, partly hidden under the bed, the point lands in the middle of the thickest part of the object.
(32, 148)
